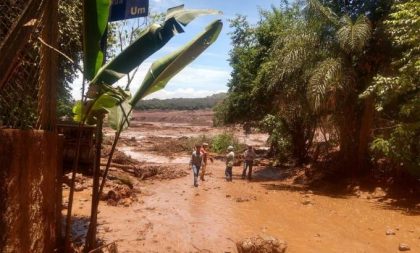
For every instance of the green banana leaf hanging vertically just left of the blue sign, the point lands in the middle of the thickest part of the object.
(95, 20)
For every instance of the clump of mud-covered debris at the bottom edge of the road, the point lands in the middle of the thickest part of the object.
(261, 244)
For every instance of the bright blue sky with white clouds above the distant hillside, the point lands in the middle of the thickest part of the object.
(210, 72)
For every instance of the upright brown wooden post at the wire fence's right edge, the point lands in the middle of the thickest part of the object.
(48, 78)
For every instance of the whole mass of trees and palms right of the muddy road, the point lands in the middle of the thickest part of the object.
(307, 65)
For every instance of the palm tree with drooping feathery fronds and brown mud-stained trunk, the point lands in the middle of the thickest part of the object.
(337, 81)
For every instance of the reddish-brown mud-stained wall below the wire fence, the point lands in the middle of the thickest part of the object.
(29, 190)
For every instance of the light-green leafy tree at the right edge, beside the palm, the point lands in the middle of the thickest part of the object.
(397, 91)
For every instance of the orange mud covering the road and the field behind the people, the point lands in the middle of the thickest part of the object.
(170, 215)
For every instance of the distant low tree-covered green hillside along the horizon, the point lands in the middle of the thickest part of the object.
(181, 103)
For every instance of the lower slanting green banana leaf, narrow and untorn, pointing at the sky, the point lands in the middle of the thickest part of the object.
(165, 68)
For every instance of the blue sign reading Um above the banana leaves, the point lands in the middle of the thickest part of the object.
(126, 9)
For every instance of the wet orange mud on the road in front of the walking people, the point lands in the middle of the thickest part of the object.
(173, 216)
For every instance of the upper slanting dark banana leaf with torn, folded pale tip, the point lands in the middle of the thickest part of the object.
(149, 41)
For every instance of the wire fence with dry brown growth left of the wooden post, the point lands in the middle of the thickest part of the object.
(19, 92)
